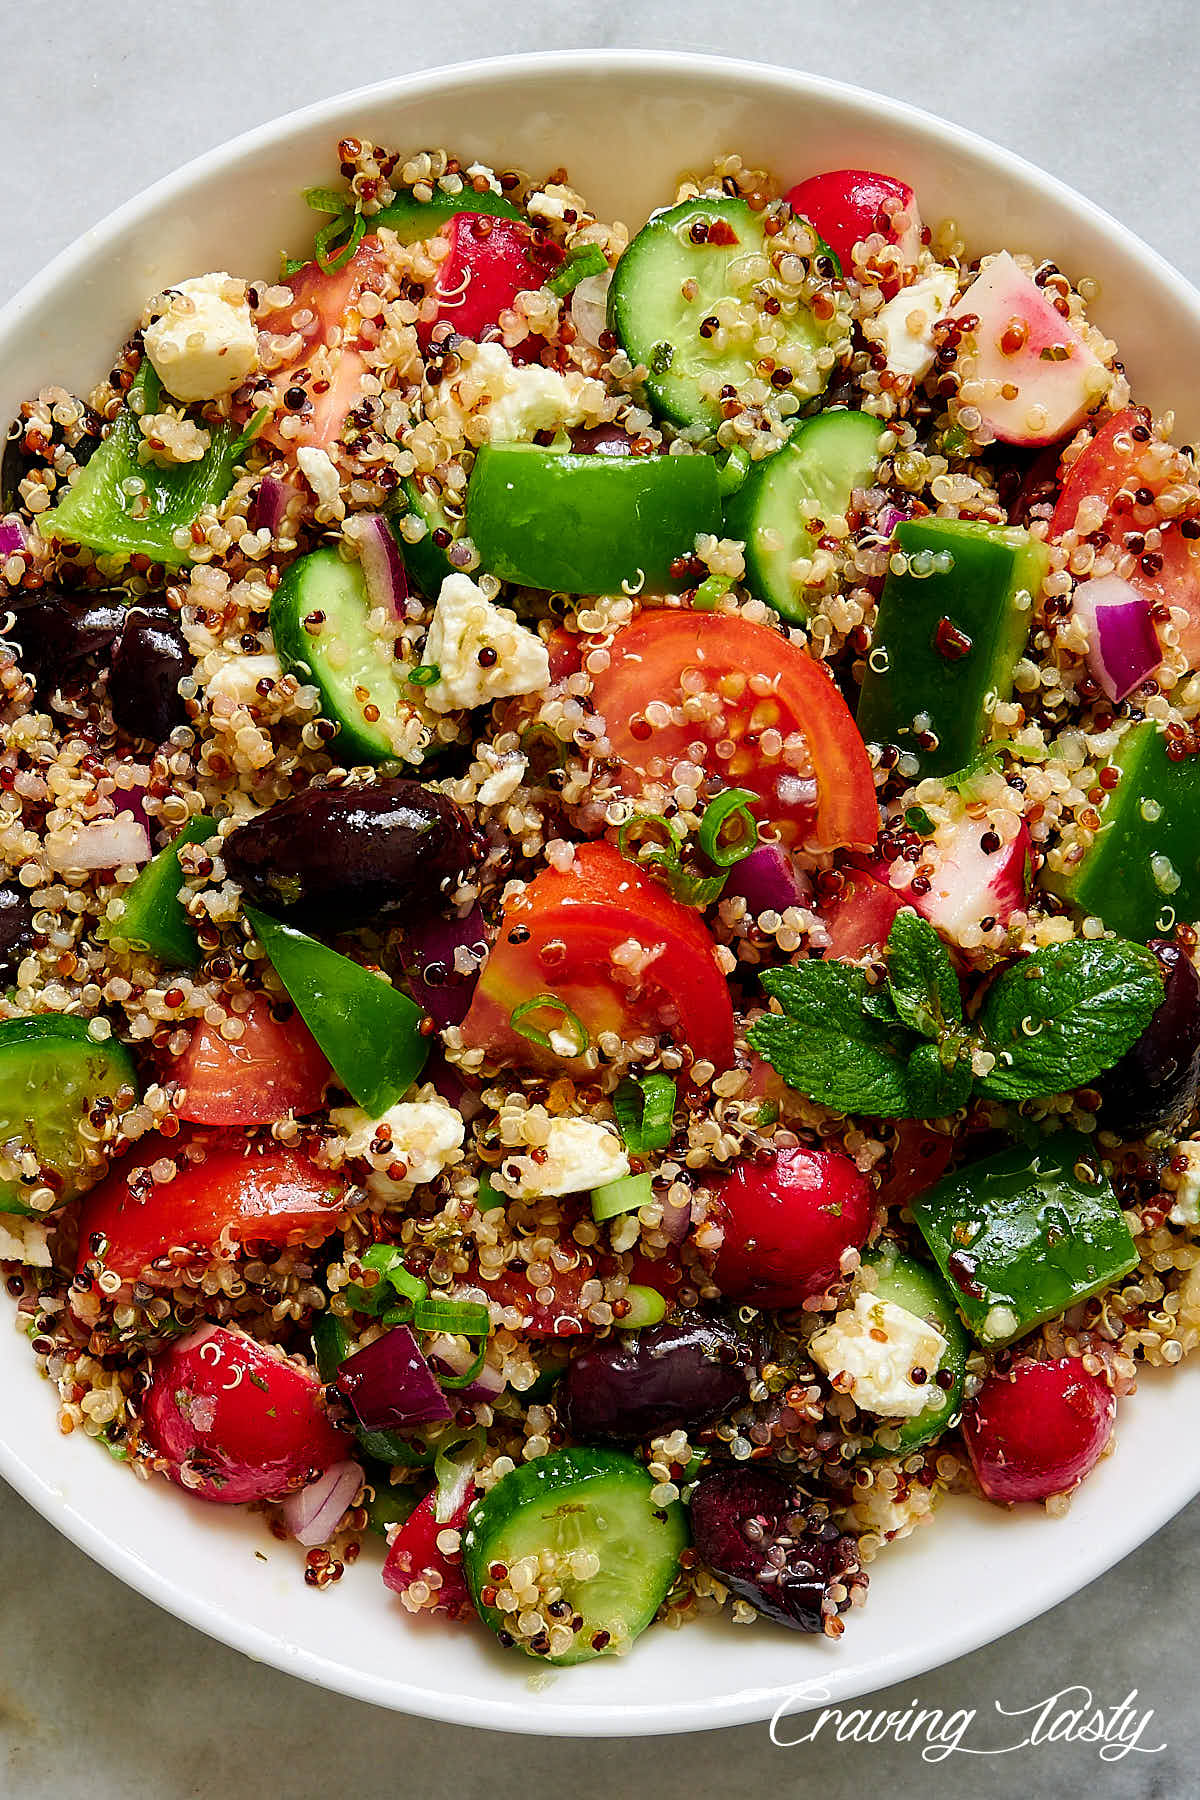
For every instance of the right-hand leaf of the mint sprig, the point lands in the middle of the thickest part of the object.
(1066, 1014)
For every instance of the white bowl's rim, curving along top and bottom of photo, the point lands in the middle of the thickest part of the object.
(515, 1714)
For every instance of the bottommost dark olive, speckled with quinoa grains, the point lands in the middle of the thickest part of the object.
(749, 1527)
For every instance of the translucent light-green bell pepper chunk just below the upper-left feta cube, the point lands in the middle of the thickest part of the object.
(107, 514)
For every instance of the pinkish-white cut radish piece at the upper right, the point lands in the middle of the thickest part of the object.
(1041, 379)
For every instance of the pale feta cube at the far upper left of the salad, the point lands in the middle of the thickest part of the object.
(206, 343)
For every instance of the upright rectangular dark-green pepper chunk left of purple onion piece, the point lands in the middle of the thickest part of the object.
(947, 640)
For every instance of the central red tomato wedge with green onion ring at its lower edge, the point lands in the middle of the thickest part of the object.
(560, 937)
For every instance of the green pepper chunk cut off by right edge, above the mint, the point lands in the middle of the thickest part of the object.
(1142, 872)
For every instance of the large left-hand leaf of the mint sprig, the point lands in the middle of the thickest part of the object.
(827, 1047)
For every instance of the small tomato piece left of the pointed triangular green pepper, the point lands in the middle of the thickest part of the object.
(273, 1070)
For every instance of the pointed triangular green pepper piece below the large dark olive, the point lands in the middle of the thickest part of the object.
(366, 1027)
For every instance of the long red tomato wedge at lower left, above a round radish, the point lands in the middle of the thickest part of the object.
(238, 1192)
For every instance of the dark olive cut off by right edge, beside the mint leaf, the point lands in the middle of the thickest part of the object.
(1158, 1081)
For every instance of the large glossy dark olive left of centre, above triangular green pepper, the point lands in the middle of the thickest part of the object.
(355, 854)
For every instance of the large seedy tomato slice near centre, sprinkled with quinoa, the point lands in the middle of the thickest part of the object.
(749, 708)
